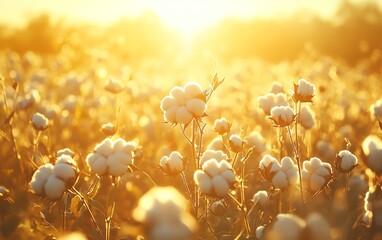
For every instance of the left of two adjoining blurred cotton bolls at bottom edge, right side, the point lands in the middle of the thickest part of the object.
(287, 227)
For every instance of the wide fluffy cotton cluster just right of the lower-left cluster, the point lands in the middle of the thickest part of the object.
(112, 157)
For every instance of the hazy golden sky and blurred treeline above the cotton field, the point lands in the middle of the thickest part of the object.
(173, 30)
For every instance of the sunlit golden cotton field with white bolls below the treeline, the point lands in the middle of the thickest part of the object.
(96, 144)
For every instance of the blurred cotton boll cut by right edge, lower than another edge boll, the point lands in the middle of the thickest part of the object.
(372, 149)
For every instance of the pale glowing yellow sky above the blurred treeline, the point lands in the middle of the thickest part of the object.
(185, 16)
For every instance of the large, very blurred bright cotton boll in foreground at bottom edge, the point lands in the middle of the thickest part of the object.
(163, 213)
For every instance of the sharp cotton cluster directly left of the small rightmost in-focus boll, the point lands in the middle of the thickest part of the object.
(315, 174)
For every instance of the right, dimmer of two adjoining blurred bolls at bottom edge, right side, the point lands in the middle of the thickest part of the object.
(318, 226)
